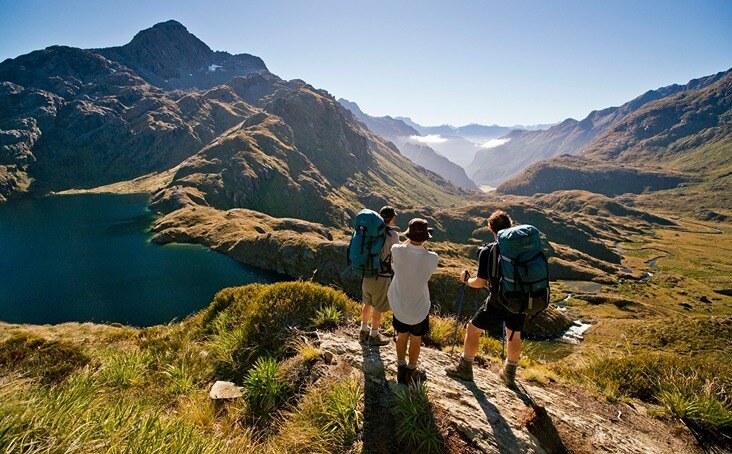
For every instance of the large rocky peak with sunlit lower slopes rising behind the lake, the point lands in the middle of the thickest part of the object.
(233, 134)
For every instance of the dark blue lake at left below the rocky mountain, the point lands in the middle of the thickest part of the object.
(89, 258)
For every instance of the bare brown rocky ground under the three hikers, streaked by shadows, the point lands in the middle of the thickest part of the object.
(491, 418)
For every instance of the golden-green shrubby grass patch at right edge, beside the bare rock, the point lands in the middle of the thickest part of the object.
(693, 389)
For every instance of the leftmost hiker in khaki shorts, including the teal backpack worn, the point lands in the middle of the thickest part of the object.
(370, 256)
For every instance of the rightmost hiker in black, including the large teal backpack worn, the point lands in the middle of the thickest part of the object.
(515, 269)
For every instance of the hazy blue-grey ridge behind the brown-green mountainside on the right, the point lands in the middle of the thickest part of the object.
(522, 148)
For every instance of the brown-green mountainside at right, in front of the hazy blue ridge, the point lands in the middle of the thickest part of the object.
(665, 137)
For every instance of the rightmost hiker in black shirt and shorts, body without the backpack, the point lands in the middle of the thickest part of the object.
(492, 312)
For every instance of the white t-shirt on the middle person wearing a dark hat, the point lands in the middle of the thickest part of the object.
(409, 296)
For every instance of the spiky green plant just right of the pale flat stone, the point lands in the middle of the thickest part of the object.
(264, 391)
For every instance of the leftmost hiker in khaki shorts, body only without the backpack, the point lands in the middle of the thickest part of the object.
(374, 288)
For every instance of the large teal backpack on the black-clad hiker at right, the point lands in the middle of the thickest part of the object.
(521, 270)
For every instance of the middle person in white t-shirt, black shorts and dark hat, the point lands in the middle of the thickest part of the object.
(409, 297)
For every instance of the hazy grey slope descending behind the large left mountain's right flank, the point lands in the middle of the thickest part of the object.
(403, 136)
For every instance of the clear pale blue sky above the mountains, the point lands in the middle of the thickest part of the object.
(437, 62)
